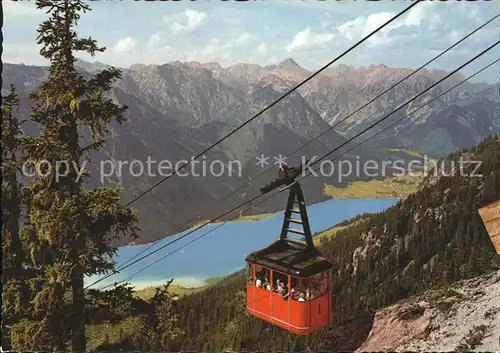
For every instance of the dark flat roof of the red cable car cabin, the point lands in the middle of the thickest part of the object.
(291, 257)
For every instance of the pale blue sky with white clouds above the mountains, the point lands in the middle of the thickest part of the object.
(267, 32)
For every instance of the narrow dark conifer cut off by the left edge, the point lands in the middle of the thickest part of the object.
(13, 273)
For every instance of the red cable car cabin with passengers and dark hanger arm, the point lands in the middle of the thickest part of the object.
(289, 282)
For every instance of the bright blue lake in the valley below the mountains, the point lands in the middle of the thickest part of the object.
(222, 251)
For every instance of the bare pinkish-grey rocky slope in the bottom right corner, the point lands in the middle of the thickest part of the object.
(463, 318)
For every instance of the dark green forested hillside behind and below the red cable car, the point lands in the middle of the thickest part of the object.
(433, 237)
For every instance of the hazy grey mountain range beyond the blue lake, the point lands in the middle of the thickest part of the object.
(177, 110)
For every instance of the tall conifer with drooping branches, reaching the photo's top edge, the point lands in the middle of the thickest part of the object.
(70, 229)
